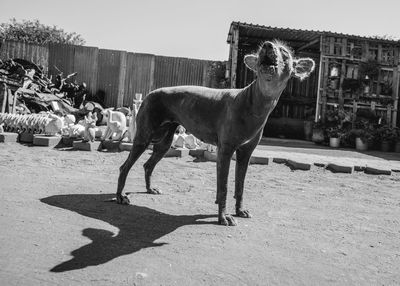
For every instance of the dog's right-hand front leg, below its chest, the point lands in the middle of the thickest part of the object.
(243, 155)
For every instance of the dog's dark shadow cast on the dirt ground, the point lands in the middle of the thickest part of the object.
(139, 228)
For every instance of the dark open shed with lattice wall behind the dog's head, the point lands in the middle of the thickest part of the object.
(339, 81)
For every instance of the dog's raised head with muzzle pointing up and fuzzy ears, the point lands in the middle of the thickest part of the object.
(274, 64)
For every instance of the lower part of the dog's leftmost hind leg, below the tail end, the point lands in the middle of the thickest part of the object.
(137, 150)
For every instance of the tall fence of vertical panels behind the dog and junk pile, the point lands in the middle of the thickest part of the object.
(116, 75)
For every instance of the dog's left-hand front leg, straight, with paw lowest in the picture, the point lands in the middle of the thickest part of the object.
(223, 162)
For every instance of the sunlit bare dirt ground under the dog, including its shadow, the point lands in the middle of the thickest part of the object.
(308, 227)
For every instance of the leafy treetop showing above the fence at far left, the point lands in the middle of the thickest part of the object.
(37, 33)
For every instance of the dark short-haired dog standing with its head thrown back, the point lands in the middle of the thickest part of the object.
(231, 119)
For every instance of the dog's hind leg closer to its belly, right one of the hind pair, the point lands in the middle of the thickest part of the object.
(159, 150)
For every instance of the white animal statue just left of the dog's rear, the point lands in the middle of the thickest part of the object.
(116, 125)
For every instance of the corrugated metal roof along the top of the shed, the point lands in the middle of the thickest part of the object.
(292, 35)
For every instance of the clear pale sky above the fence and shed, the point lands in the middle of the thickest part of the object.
(198, 29)
